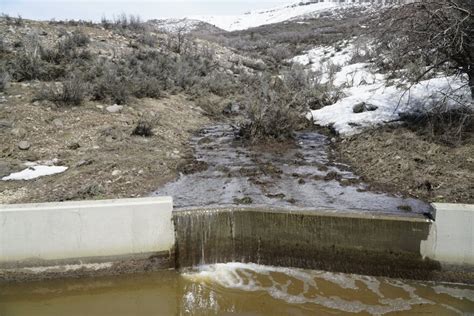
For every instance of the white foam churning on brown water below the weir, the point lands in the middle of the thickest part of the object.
(247, 277)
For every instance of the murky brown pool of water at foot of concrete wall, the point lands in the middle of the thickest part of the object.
(238, 289)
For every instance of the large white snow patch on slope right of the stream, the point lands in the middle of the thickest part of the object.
(358, 82)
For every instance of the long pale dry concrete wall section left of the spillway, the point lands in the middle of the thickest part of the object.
(92, 231)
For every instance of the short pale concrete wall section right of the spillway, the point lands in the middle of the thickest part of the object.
(451, 238)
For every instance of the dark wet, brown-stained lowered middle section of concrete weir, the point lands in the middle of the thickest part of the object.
(354, 242)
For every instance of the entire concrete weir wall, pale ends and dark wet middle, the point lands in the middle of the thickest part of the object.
(39, 241)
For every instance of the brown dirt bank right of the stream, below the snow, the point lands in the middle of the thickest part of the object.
(401, 161)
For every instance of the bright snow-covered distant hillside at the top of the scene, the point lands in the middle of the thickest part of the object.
(263, 17)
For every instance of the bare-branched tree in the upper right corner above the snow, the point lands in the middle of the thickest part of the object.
(440, 33)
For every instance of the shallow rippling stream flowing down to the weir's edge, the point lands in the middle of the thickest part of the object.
(299, 176)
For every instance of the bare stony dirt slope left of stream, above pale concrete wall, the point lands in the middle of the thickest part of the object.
(104, 160)
